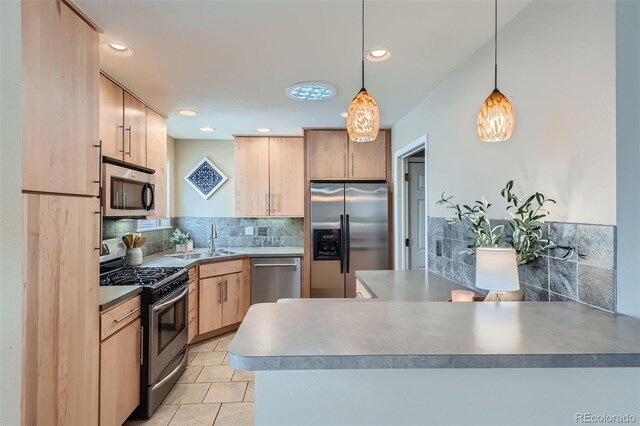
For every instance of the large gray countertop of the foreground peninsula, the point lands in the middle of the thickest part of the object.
(310, 336)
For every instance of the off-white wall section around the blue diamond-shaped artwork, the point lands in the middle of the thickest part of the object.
(188, 153)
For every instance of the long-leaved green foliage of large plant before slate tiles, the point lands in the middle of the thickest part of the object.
(524, 232)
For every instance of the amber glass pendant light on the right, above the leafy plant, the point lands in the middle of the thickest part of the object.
(497, 117)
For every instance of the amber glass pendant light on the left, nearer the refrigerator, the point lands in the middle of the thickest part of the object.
(363, 117)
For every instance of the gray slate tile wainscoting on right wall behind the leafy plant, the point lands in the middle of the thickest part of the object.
(590, 280)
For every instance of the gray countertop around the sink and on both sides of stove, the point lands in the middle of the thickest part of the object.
(112, 295)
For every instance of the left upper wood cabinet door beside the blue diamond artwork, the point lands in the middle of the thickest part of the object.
(252, 176)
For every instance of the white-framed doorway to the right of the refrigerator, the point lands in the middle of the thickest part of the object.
(408, 249)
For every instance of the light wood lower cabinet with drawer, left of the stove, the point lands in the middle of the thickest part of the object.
(120, 354)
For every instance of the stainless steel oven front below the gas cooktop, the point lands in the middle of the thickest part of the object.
(167, 350)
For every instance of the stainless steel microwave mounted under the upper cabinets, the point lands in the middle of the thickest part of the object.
(127, 192)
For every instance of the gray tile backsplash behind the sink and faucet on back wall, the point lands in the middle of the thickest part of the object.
(267, 232)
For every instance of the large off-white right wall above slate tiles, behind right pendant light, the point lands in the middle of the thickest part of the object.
(557, 66)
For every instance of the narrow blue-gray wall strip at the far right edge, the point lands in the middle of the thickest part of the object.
(628, 171)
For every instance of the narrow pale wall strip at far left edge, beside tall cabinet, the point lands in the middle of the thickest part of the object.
(10, 214)
